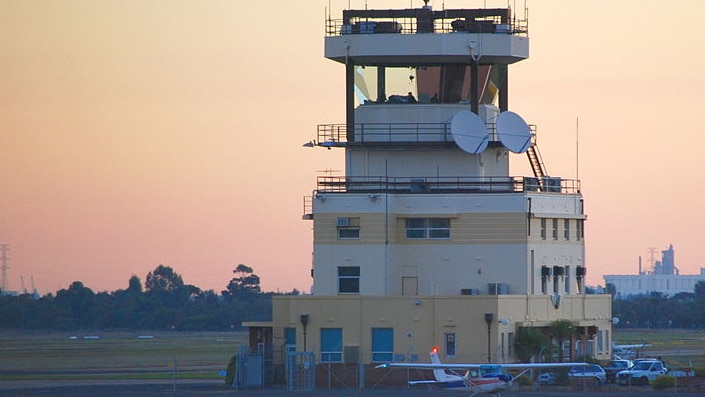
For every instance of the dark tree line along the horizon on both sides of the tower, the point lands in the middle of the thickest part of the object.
(167, 303)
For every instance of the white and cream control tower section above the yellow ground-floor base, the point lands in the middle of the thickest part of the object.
(427, 205)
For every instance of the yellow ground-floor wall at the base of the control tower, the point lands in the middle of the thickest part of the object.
(420, 323)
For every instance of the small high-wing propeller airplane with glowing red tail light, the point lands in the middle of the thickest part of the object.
(478, 378)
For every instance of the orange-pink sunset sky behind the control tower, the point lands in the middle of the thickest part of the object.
(137, 133)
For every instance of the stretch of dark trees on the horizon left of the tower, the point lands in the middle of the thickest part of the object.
(164, 303)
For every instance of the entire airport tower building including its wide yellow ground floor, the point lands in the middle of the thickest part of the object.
(427, 239)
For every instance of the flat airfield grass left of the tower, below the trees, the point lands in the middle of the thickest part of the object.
(117, 355)
